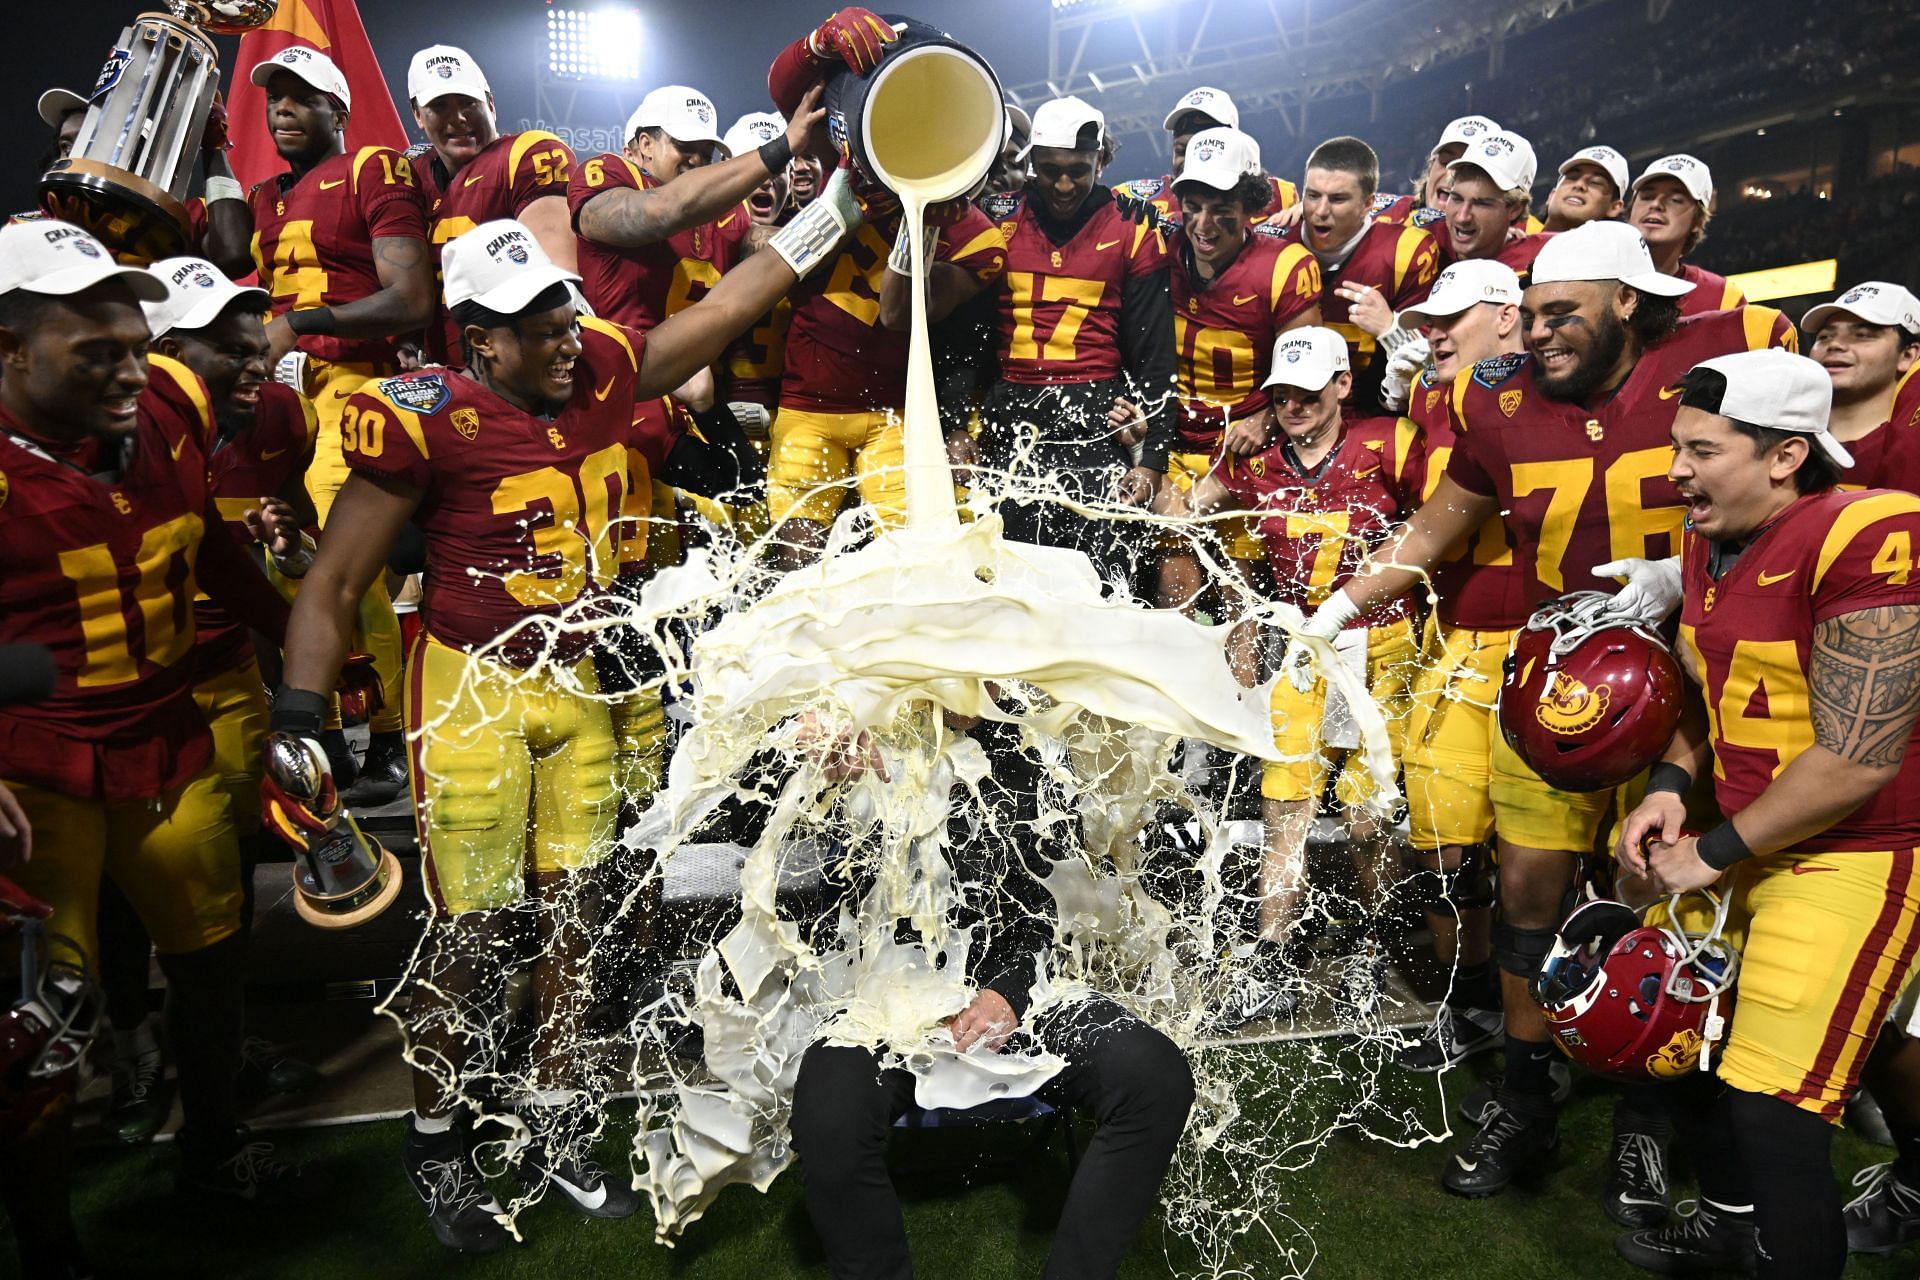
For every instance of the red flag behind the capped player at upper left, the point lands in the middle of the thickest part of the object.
(335, 30)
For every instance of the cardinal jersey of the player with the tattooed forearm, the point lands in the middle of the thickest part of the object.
(1750, 634)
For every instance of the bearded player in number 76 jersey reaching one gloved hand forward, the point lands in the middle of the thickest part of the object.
(1568, 442)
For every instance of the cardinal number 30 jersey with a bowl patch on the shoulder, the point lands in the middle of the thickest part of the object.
(519, 511)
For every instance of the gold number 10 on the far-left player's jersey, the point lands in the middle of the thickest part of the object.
(97, 584)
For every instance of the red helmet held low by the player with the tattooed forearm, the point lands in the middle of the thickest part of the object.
(1633, 999)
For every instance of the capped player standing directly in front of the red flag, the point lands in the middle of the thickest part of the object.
(341, 243)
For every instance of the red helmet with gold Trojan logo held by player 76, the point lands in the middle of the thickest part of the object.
(1589, 701)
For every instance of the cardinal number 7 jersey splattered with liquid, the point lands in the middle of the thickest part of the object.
(1318, 529)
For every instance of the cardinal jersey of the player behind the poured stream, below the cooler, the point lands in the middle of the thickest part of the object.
(840, 360)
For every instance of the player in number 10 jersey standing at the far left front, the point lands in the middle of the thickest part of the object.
(103, 538)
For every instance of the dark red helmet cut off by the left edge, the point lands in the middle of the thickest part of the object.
(51, 1022)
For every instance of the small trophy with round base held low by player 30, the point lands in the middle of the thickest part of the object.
(343, 876)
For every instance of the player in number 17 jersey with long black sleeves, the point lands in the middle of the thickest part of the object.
(1086, 335)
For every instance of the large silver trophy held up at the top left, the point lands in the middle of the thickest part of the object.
(133, 160)
